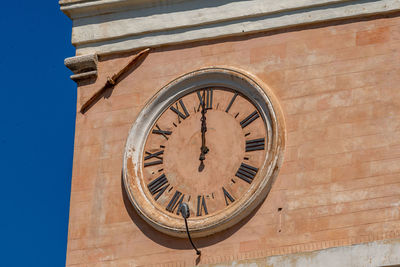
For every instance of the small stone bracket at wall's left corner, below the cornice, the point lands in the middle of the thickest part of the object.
(83, 67)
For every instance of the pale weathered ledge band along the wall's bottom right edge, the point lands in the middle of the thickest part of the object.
(382, 245)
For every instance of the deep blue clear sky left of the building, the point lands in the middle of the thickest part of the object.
(37, 133)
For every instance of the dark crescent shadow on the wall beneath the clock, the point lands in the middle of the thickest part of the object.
(175, 242)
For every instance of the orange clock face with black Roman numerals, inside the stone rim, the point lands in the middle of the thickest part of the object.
(235, 139)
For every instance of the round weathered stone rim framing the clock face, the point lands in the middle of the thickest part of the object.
(265, 102)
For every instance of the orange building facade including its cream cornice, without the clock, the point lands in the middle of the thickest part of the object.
(332, 70)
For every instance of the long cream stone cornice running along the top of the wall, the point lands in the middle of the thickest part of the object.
(109, 26)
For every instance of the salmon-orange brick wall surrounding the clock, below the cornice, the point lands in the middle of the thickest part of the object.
(339, 88)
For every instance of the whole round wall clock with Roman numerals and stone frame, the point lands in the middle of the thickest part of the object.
(213, 139)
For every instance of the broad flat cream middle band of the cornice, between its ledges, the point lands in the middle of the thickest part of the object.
(186, 15)
